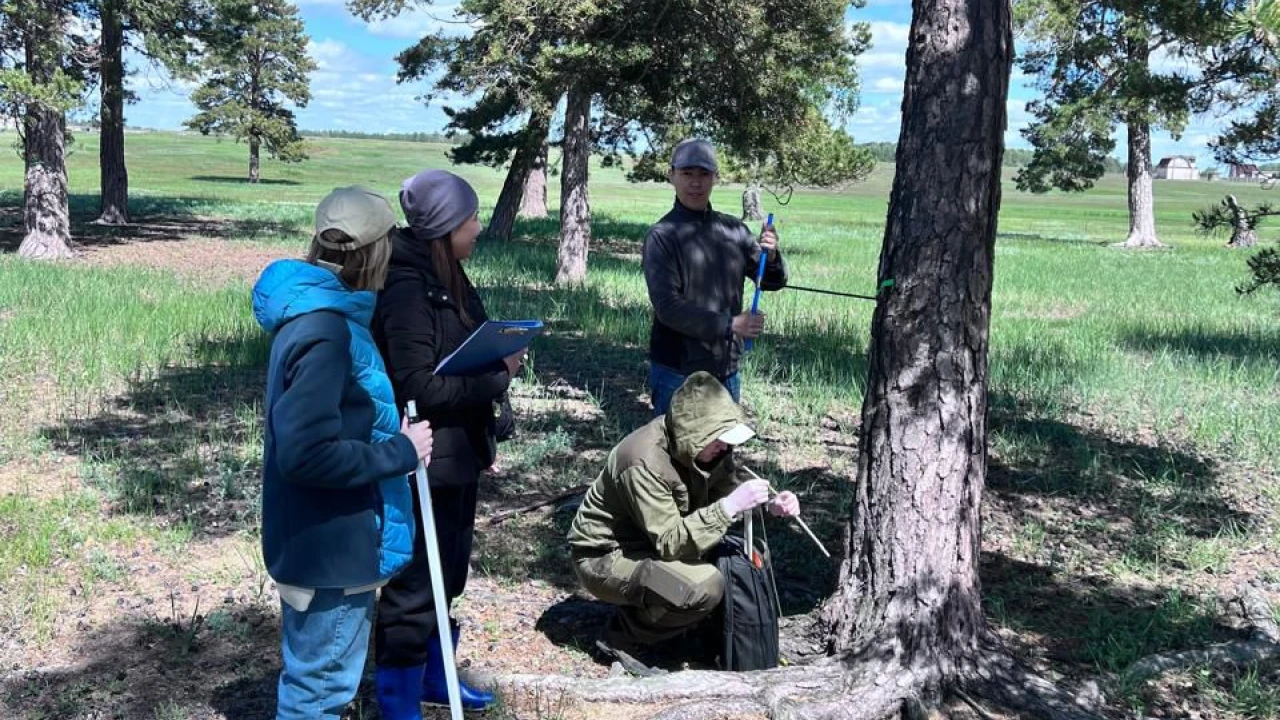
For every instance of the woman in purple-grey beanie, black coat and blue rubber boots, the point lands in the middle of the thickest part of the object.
(427, 311)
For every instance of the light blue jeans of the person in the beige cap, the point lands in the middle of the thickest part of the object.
(324, 654)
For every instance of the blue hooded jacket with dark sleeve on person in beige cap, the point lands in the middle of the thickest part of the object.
(337, 509)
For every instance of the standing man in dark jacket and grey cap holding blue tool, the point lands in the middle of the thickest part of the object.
(696, 263)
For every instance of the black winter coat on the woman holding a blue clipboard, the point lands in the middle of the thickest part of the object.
(417, 326)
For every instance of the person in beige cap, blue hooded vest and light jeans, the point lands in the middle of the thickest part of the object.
(337, 511)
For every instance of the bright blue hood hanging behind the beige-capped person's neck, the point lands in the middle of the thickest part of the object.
(290, 289)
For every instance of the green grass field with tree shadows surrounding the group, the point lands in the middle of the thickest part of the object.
(1135, 400)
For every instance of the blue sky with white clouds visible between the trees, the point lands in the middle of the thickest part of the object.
(355, 86)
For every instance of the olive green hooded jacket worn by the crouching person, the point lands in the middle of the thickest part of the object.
(651, 496)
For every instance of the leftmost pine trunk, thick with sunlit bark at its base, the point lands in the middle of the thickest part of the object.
(47, 213)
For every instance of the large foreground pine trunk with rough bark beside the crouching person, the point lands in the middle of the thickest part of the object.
(909, 585)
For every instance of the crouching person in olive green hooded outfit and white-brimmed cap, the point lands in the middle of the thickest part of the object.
(666, 498)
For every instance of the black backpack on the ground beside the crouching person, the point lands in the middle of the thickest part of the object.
(747, 621)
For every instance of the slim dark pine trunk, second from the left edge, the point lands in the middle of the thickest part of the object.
(115, 185)
